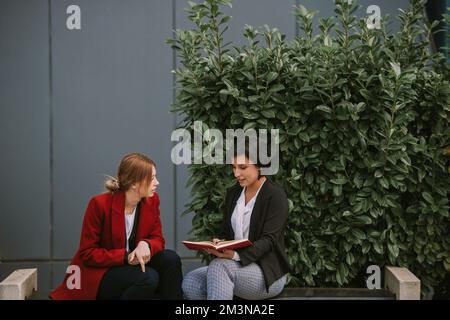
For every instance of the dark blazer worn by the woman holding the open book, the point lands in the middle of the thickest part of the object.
(267, 223)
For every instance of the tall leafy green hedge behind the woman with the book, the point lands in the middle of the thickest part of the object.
(363, 116)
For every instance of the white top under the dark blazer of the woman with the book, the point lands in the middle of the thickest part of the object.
(240, 219)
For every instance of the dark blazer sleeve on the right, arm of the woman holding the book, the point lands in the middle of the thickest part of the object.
(273, 226)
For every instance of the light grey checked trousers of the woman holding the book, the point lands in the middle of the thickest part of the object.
(225, 278)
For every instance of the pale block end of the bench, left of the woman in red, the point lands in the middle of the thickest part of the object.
(19, 285)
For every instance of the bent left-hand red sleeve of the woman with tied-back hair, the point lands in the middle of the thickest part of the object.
(90, 251)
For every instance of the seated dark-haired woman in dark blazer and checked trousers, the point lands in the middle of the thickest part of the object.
(255, 209)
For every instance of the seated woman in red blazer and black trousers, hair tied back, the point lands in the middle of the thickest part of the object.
(121, 253)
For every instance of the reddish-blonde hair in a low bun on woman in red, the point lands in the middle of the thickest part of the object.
(134, 168)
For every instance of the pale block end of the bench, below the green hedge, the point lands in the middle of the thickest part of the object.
(402, 282)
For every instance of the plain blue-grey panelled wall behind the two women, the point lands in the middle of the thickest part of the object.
(73, 102)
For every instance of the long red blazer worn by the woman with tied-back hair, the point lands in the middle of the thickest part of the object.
(102, 243)
